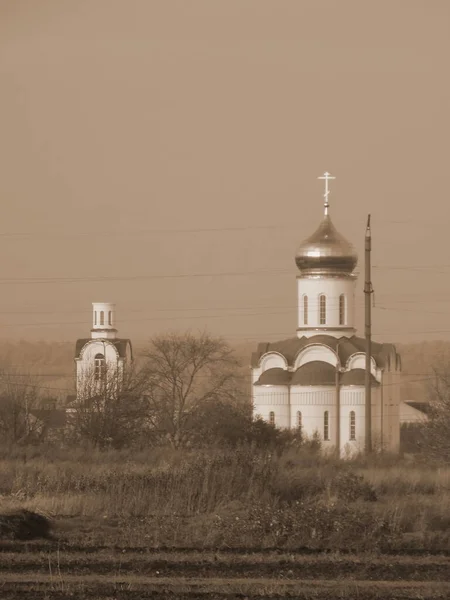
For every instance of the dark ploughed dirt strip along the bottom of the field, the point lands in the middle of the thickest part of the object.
(69, 568)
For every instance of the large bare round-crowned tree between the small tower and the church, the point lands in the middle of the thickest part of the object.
(183, 373)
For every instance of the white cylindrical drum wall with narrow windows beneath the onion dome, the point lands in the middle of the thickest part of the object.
(332, 288)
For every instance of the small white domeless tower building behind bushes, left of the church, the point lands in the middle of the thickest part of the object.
(101, 359)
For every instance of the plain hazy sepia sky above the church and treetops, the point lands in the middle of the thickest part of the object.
(150, 138)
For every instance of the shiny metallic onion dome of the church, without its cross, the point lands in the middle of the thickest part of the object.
(326, 251)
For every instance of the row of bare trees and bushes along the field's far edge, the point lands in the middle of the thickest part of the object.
(184, 390)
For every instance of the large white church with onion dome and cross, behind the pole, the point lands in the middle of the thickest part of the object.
(315, 381)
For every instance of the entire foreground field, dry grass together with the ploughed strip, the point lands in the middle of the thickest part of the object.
(226, 524)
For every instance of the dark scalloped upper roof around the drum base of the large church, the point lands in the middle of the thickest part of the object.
(290, 347)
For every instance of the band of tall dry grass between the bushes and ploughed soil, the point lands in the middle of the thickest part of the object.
(240, 497)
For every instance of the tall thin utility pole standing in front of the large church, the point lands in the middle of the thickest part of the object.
(368, 334)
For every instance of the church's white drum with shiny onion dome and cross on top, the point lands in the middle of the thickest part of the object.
(326, 261)
